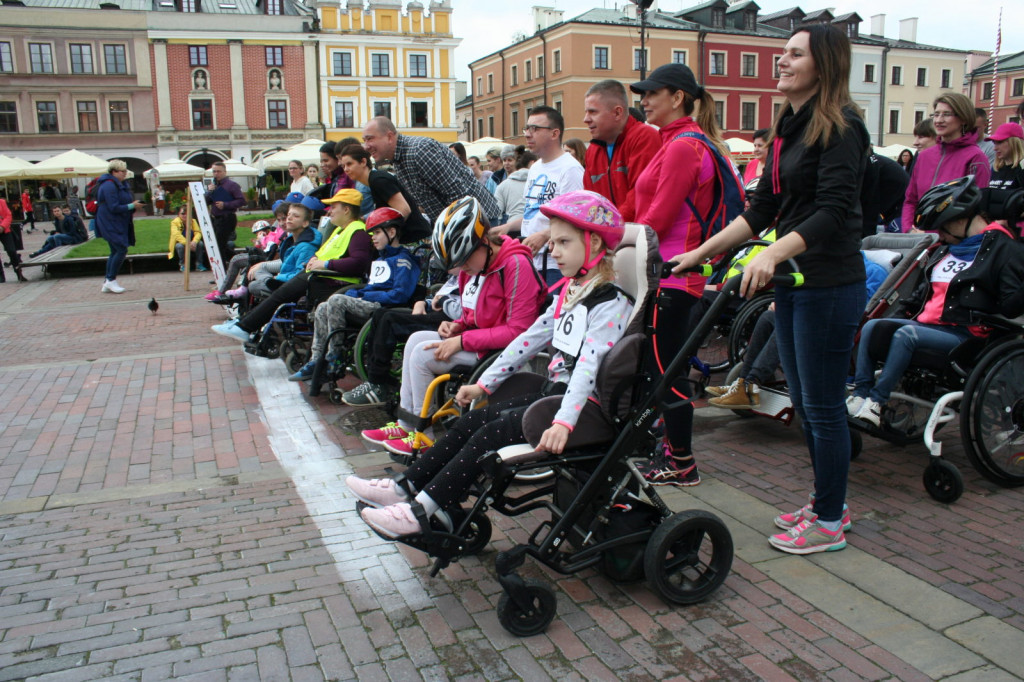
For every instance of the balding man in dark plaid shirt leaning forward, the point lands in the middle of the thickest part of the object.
(426, 168)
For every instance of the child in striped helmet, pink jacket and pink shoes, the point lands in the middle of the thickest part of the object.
(501, 297)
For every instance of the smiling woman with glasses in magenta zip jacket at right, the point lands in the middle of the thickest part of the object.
(956, 155)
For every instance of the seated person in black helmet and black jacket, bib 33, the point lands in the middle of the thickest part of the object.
(980, 270)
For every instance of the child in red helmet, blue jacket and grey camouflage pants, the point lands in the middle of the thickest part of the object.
(394, 277)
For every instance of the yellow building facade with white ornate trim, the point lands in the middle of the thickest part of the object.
(386, 60)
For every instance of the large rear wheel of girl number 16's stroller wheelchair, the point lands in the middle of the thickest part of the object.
(689, 557)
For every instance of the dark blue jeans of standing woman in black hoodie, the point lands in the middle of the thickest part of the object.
(815, 329)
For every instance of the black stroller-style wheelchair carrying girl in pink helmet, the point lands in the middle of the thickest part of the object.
(604, 514)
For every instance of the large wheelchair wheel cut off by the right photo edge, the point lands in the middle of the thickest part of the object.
(993, 415)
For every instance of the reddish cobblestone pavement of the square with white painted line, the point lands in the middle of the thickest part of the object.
(173, 509)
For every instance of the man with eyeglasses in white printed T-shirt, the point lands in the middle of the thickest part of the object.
(557, 174)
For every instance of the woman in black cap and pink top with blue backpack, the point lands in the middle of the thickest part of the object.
(679, 180)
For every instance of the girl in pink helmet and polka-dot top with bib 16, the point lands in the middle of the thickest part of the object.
(582, 325)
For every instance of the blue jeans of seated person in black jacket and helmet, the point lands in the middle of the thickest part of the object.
(913, 335)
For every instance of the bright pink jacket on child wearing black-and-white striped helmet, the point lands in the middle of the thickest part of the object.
(509, 302)
